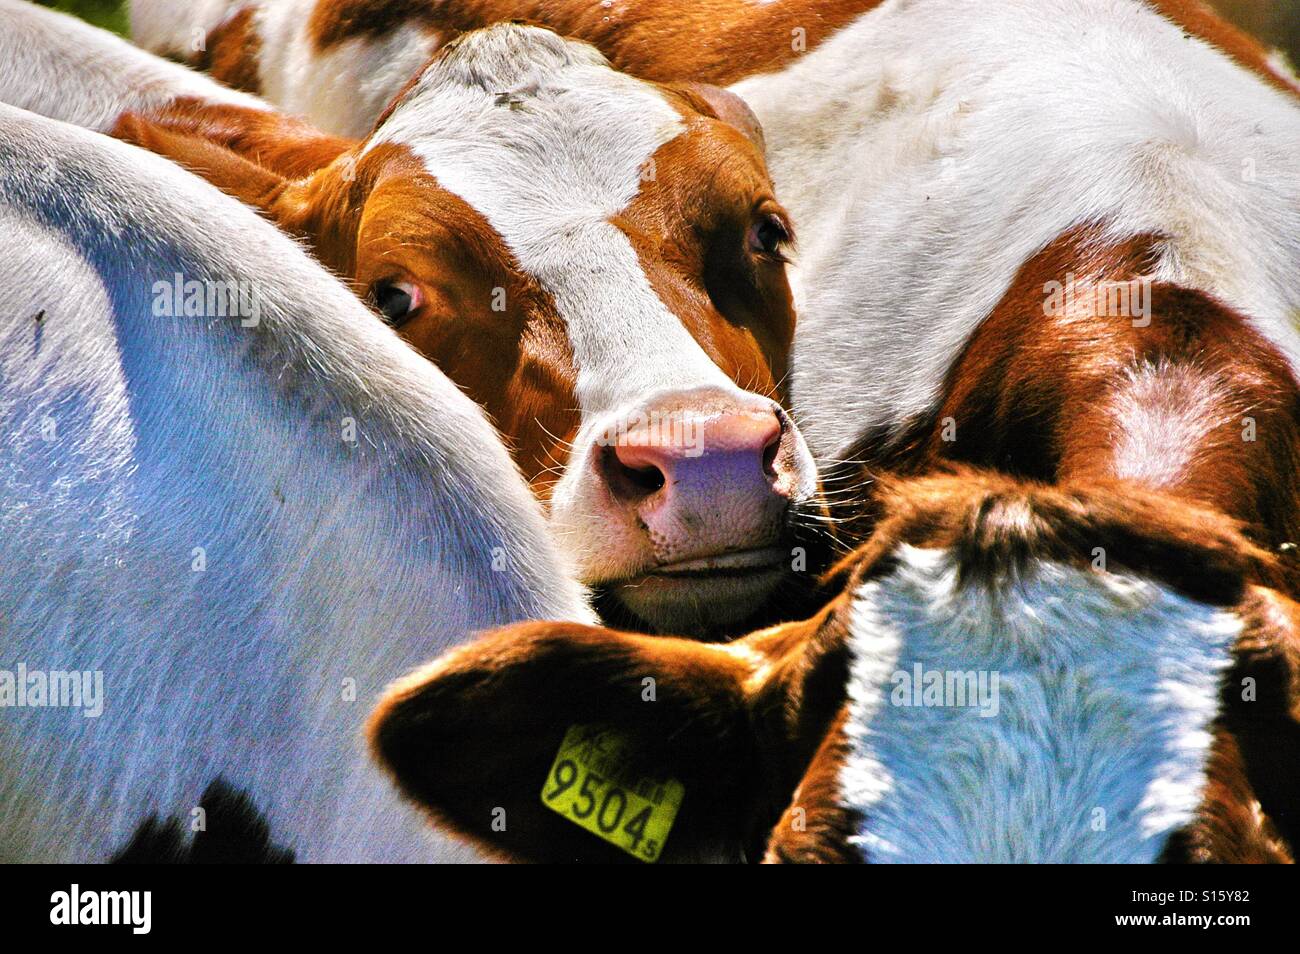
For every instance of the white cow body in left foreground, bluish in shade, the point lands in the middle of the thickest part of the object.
(236, 508)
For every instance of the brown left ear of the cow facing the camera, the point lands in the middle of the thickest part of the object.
(254, 185)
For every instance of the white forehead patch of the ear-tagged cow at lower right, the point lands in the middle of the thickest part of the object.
(1107, 688)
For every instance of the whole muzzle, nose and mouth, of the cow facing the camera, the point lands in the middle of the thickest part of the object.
(682, 508)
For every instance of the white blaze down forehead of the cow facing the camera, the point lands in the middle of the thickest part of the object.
(548, 144)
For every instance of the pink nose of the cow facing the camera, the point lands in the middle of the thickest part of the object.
(704, 483)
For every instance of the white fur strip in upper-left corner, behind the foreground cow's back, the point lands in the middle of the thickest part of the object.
(63, 68)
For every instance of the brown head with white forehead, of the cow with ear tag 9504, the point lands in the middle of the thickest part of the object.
(1133, 705)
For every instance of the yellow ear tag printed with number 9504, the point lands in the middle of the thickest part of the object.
(591, 787)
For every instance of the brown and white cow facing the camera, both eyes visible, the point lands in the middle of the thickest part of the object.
(595, 259)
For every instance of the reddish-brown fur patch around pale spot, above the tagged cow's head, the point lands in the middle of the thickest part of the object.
(1034, 396)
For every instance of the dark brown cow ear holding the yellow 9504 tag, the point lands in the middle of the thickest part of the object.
(474, 740)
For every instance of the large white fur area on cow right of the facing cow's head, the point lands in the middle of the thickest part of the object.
(926, 154)
